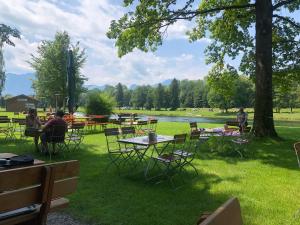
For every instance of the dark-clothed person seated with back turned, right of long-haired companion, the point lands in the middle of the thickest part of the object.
(55, 127)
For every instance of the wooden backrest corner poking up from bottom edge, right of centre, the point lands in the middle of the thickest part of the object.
(228, 214)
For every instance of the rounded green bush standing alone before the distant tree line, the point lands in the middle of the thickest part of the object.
(99, 104)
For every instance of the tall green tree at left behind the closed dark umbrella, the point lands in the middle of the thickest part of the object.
(50, 65)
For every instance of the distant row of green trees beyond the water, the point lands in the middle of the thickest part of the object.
(238, 91)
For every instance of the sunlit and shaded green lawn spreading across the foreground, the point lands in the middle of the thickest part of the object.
(266, 183)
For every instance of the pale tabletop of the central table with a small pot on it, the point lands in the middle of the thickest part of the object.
(144, 140)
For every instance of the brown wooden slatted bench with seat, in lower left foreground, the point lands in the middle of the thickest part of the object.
(27, 194)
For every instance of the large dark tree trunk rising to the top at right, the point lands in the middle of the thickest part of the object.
(263, 116)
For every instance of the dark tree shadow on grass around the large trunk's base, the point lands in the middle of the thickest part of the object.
(278, 152)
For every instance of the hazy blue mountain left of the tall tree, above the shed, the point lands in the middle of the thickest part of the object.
(17, 84)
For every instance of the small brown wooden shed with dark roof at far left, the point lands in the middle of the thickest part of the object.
(20, 103)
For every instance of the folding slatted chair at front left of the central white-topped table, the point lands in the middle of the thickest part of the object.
(116, 154)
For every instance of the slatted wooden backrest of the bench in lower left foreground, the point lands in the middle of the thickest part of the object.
(39, 185)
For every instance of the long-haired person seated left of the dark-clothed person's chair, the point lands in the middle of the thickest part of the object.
(33, 125)
